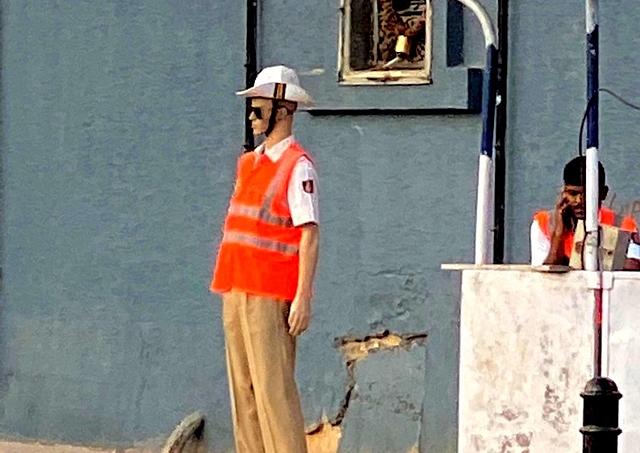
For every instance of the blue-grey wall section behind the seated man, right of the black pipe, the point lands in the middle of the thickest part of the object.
(547, 99)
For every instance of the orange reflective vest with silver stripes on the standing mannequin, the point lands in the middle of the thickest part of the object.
(258, 254)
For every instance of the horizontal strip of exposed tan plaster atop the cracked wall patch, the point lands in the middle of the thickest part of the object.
(354, 348)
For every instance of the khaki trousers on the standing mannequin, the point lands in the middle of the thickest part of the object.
(265, 405)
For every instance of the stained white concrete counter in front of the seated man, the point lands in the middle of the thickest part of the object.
(527, 352)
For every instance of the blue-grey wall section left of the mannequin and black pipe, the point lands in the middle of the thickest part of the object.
(120, 132)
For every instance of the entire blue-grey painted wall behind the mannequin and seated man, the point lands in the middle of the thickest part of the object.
(120, 132)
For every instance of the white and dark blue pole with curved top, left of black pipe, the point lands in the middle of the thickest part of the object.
(484, 207)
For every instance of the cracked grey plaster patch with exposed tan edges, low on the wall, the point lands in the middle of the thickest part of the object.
(396, 397)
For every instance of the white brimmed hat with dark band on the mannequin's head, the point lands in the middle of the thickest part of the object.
(278, 82)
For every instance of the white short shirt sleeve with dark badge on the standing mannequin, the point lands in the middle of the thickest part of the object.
(302, 193)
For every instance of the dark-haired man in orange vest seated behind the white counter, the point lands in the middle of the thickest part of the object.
(552, 231)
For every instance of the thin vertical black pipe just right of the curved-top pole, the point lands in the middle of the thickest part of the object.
(501, 132)
